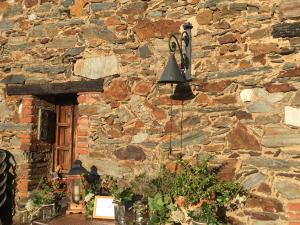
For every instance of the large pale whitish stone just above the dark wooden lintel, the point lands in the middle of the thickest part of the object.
(97, 67)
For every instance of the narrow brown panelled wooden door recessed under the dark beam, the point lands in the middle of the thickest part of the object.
(64, 141)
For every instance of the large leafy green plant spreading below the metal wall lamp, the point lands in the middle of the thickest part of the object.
(199, 186)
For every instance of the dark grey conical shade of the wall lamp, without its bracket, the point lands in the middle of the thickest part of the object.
(172, 74)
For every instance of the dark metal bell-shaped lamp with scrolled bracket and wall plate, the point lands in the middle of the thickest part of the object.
(173, 74)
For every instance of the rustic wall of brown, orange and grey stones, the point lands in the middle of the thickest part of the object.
(246, 81)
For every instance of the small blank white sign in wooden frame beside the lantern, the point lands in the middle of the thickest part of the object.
(104, 207)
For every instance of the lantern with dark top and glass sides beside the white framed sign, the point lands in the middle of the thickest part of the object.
(75, 188)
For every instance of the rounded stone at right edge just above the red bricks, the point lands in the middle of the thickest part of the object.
(288, 189)
